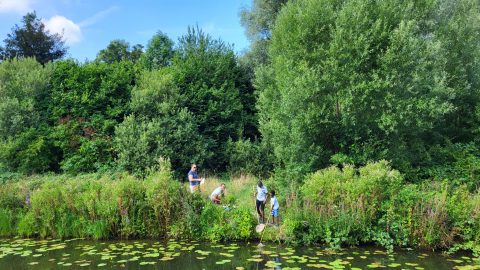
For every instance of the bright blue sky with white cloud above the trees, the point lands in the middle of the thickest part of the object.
(88, 26)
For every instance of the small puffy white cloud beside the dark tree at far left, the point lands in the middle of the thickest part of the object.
(70, 31)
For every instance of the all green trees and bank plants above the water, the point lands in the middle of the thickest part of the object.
(325, 84)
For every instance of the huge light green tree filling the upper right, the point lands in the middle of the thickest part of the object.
(360, 80)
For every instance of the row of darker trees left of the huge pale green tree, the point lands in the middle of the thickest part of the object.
(190, 102)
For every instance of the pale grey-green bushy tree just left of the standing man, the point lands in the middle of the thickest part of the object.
(160, 127)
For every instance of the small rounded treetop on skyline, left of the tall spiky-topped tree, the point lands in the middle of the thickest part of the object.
(159, 52)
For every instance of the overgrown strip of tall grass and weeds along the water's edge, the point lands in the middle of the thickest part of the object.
(348, 207)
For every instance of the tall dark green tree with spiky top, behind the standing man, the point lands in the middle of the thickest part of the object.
(212, 85)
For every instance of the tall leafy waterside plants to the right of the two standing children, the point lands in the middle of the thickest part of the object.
(373, 204)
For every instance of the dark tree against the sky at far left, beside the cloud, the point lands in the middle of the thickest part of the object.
(32, 40)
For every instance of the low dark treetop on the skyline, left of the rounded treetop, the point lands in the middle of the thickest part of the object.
(119, 50)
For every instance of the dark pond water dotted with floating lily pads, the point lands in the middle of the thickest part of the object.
(82, 254)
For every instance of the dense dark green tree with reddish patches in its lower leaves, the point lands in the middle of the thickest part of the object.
(87, 102)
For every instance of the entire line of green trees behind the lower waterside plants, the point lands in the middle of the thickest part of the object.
(325, 82)
